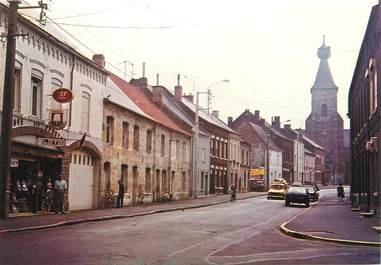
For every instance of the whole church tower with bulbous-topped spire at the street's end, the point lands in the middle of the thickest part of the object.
(324, 125)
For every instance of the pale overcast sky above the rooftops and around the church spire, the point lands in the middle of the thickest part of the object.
(267, 49)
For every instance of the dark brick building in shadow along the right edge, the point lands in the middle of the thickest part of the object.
(365, 117)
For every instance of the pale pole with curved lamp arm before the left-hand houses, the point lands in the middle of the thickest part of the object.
(196, 135)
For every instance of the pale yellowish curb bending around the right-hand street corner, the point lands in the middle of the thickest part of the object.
(301, 235)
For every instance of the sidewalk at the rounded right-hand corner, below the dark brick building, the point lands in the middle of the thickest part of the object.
(334, 221)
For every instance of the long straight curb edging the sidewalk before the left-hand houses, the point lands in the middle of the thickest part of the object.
(115, 217)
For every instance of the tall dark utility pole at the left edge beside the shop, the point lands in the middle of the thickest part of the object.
(8, 95)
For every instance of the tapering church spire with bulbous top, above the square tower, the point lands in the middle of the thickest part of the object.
(324, 78)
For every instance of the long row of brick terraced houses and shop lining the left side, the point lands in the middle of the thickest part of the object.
(130, 131)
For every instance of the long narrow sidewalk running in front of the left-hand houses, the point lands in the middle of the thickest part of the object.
(44, 221)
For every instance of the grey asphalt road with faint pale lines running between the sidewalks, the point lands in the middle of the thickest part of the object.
(245, 232)
